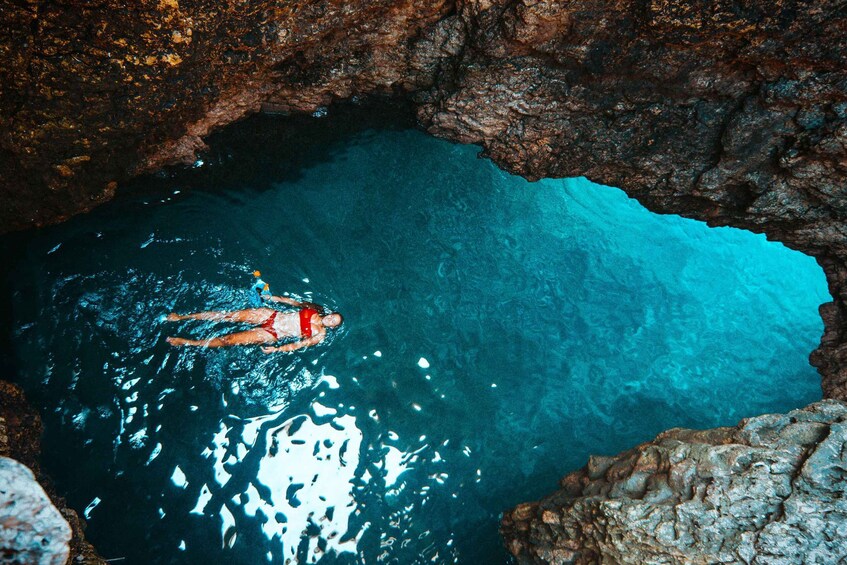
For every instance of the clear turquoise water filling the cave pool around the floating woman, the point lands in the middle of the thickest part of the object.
(497, 333)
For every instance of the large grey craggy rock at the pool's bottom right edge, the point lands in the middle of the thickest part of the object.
(770, 490)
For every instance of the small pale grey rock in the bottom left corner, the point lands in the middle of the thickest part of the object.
(31, 529)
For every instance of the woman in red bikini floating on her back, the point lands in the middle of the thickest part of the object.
(309, 324)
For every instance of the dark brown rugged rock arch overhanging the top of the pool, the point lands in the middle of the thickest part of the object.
(734, 113)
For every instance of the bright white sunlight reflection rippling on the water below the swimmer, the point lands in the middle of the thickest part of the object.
(309, 478)
